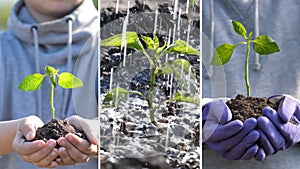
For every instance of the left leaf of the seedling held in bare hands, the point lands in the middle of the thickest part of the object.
(32, 82)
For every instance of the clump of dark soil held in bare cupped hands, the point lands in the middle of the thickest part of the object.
(57, 128)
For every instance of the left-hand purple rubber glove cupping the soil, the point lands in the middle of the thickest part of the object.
(232, 140)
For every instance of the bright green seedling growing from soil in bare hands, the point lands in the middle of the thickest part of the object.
(65, 80)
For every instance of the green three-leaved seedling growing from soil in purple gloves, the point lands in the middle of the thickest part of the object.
(263, 45)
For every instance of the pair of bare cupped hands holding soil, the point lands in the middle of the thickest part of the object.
(72, 150)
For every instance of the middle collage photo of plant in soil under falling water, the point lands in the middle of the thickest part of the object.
(150, 84)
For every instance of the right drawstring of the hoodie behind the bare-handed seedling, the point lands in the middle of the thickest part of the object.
(69, 64)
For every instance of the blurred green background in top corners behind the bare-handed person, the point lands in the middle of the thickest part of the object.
(5, 6)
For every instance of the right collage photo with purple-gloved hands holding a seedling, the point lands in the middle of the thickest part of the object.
(251, 84)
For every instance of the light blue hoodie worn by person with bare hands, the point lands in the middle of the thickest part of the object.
(68, 44)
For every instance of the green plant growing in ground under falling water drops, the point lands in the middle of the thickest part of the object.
(154, 52)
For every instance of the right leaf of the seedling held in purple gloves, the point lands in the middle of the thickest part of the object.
(265, 45)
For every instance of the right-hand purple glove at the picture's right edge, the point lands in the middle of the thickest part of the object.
(276, 129)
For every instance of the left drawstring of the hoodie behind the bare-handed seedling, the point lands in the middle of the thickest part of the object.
(37, 66)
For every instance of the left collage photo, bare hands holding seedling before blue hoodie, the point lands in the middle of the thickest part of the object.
(48, 71)
